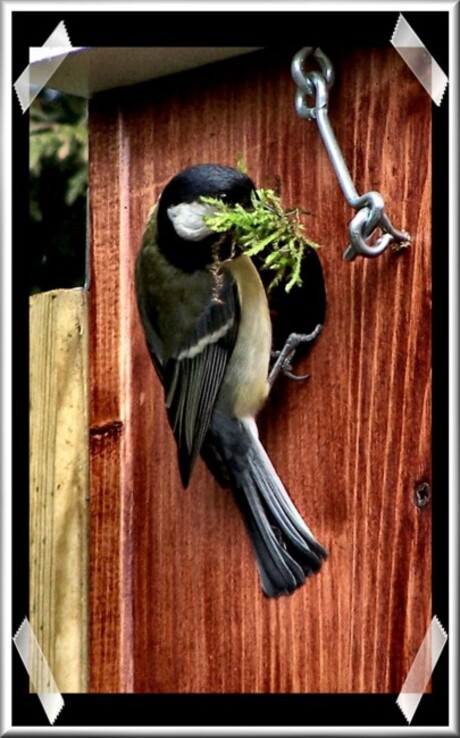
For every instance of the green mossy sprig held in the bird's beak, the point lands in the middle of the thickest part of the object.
(267, 227)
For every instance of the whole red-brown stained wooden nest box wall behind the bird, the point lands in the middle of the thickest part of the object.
(176, 604)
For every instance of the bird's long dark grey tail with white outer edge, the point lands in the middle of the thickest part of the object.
(285, 548)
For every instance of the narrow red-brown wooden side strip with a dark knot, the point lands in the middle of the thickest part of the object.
(111, 540)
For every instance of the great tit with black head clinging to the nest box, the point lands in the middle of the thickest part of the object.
(207, 327)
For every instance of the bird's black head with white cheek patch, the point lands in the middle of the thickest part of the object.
(183, 235)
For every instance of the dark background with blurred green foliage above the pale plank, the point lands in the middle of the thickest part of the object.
(57, 194)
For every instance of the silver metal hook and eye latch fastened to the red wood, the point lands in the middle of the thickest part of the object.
(370, 206)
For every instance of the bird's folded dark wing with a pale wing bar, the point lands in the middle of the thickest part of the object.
(193, 375)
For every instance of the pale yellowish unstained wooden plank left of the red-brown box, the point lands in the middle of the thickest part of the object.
(59, 483)
